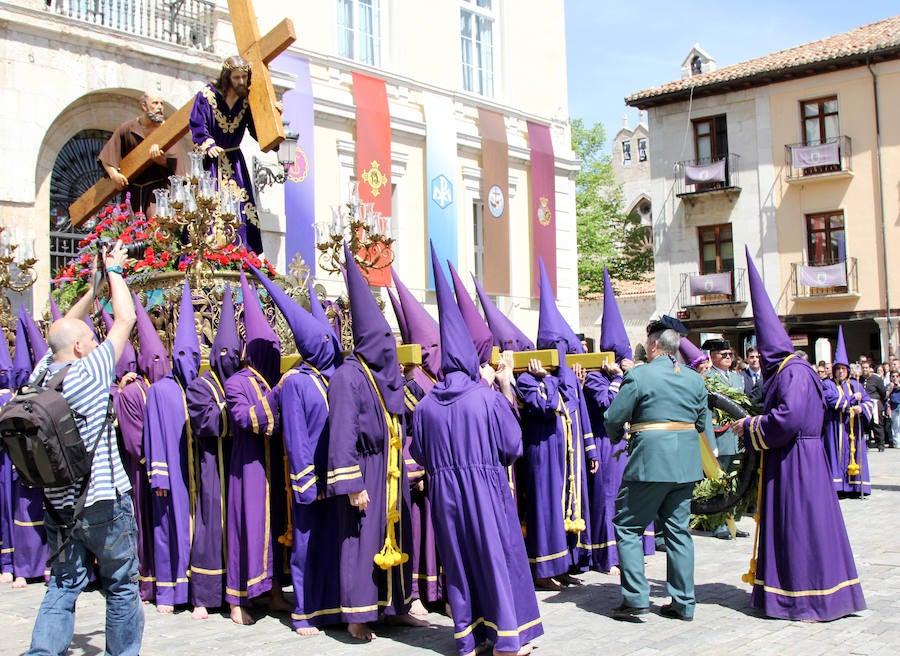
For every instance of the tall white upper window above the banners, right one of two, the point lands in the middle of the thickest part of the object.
(480, 75)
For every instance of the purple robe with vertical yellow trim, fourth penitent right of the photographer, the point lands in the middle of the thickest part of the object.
(256, 496)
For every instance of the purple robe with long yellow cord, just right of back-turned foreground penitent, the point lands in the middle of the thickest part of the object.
(557, 443)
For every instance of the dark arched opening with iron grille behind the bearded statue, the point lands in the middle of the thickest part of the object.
(75, 171)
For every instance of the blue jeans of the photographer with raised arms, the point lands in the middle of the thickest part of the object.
(109, 533)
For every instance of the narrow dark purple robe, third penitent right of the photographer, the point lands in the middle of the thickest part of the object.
(209, 427)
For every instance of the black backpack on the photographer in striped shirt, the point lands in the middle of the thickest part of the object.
(39, 431)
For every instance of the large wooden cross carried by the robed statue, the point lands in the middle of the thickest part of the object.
(258, 52)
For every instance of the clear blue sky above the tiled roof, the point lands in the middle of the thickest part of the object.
(615, 47)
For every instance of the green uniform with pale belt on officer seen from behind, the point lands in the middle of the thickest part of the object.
(666, 405)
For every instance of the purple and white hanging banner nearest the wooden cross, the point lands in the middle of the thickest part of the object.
(299, 186)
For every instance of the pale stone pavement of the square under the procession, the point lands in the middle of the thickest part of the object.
(576, 620)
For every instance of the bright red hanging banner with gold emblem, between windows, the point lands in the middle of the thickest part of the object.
(373, 163)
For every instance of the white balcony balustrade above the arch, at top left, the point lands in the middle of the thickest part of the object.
(189, 23)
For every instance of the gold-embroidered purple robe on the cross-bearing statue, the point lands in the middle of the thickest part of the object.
(214, 123)
